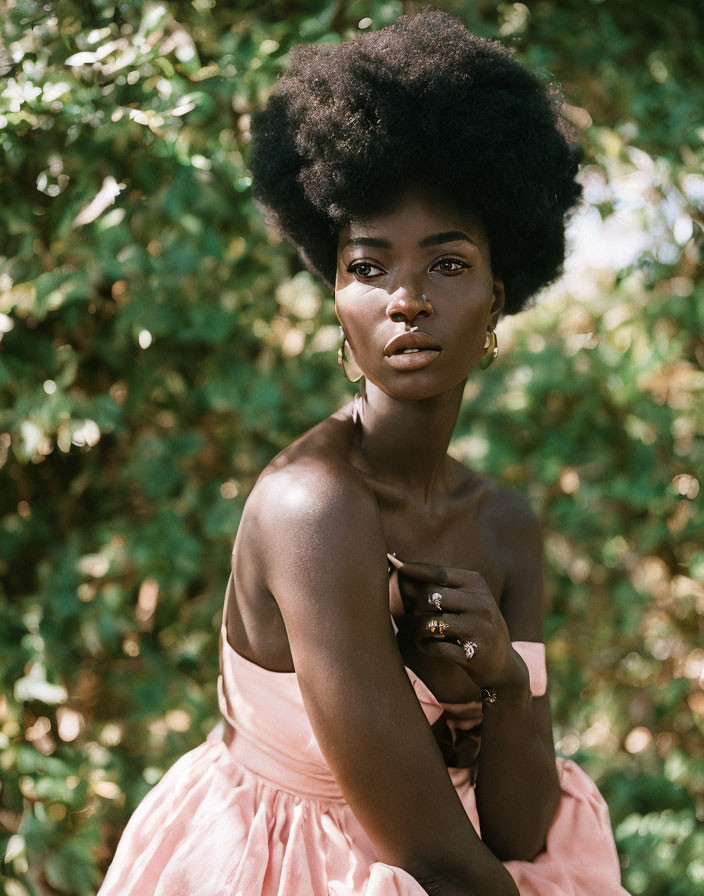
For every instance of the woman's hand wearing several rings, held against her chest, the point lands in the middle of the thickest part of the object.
(468, 629)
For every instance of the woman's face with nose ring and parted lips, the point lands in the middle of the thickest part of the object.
(410, 346)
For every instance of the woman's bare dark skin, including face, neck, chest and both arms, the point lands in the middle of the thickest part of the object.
(309, 574)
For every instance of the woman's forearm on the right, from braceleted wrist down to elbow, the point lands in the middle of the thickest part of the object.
(517, 789)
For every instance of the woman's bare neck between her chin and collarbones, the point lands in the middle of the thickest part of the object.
(404, 443)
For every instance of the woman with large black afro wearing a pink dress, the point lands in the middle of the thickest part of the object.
(384, 608)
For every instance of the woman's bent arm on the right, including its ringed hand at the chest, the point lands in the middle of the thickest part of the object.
(517, 788)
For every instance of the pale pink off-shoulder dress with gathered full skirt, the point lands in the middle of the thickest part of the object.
(255, 810)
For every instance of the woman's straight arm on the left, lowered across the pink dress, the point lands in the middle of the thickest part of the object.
(320, 533)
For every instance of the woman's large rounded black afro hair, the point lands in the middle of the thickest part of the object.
(426, 103)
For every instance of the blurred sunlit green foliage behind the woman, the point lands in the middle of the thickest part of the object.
(159, 346)
